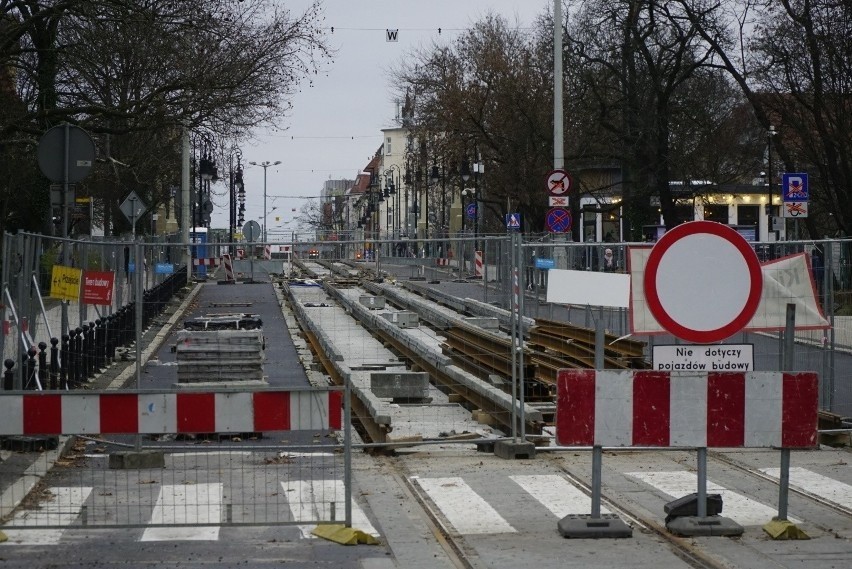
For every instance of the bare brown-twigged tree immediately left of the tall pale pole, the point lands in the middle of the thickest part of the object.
(486, 95)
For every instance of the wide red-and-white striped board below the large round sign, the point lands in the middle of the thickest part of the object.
(682, 409)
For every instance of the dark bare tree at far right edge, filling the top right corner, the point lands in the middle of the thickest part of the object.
(793, 62)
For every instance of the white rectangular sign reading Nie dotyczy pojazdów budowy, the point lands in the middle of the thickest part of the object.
(697, 357)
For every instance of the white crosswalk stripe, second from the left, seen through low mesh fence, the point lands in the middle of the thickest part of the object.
(186, 504)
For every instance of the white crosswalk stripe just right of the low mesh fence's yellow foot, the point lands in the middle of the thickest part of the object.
(464, 509)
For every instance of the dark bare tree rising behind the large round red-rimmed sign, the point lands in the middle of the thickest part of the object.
(645, 76)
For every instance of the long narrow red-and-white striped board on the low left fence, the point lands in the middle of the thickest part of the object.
(163, 413)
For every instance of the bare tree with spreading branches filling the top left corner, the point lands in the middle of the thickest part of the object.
(153, 67)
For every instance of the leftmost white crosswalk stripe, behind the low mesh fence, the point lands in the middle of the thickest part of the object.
(61, 510)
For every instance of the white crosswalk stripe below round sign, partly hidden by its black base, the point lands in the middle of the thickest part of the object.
(739, 508)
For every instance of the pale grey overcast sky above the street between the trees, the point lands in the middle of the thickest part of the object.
(335, 126)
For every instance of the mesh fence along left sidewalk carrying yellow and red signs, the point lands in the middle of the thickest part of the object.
(70, 307)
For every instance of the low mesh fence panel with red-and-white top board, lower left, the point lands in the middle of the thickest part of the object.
(206, 459)
